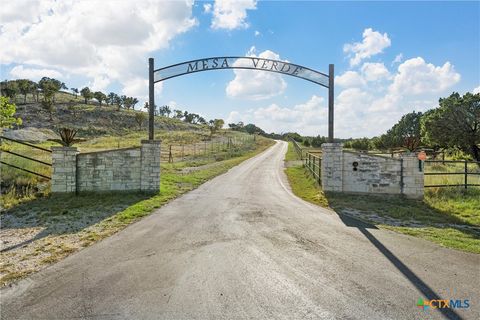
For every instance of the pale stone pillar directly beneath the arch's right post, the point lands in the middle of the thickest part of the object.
(332, 167)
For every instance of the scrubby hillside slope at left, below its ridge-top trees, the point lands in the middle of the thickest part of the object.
(90, 120)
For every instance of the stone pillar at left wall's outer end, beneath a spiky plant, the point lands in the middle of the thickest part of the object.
(64, 169)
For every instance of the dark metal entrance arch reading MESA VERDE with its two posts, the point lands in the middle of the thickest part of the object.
(248, 63)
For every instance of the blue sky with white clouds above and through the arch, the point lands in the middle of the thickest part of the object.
(390, 58)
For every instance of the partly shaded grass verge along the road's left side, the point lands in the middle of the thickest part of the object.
(41, 231)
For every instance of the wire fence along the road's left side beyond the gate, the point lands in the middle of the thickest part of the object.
(219, 147)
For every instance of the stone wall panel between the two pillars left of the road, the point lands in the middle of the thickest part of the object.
(109, 170)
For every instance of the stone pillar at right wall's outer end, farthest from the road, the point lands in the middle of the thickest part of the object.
(413, 178)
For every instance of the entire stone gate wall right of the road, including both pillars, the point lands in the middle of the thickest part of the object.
(371, 174)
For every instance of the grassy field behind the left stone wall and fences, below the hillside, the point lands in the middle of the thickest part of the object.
(19, 186)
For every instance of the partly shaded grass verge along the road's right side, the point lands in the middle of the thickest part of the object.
(448, 216)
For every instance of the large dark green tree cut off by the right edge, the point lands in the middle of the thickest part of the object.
(455, 124)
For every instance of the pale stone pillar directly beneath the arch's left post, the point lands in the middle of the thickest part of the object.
(150, 166)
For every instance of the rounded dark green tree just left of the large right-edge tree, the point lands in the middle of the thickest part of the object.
(406, 132)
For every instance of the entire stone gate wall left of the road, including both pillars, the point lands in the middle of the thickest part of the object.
(113, 170)
